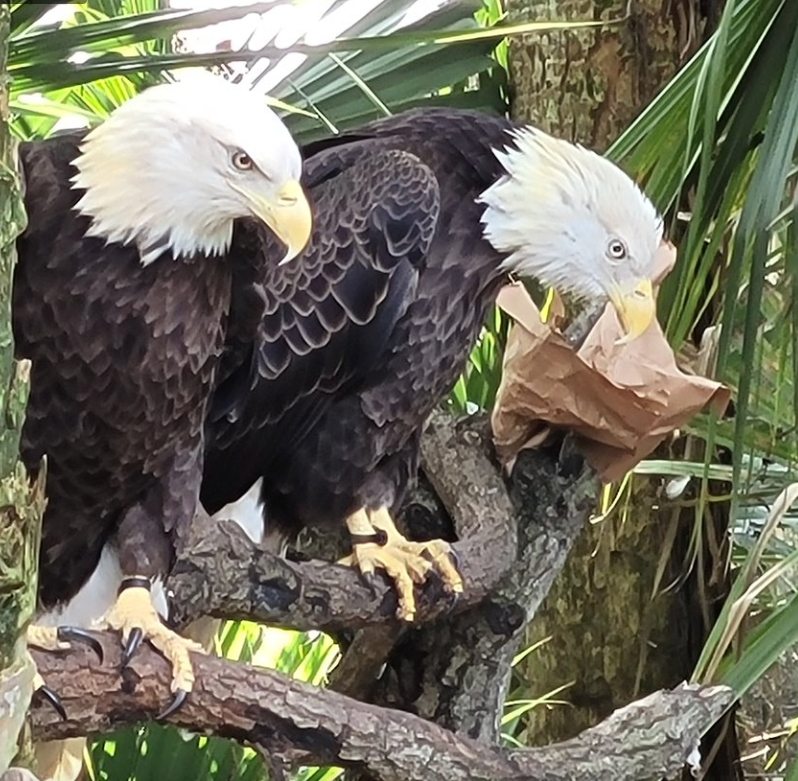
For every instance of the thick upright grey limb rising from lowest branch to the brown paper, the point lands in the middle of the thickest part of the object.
(455, 670)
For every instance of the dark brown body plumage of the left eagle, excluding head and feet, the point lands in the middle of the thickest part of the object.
(123, 359)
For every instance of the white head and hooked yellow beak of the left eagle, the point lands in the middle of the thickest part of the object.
(175, 166)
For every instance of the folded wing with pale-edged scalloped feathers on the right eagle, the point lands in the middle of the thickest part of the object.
(326, 317)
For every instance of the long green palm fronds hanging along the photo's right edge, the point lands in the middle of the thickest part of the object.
(719, 143)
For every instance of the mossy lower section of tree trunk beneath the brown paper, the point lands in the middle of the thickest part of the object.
(611, 637)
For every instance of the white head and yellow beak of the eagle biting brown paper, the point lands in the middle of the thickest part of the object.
(576, 222)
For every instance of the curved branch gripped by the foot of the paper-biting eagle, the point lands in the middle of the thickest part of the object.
(221, 573)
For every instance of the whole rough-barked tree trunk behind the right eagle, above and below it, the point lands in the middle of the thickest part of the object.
(611, 640)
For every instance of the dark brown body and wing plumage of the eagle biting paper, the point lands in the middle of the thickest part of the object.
(370, 329)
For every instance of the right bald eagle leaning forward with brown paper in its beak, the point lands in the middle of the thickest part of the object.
(419, 220)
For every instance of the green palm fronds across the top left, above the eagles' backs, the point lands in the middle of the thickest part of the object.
(402, 65)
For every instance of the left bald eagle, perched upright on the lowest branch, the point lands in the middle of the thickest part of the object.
(122, 301)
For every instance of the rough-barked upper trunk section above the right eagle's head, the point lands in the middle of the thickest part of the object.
(589, 84)
